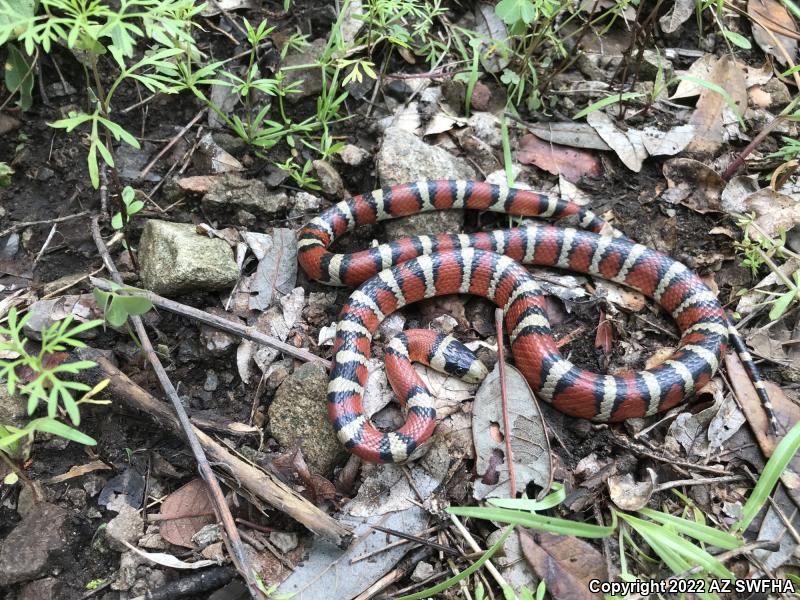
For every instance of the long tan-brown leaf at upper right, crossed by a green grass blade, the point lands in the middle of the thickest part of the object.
(708, 116)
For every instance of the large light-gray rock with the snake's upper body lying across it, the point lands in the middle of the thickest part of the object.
(403, 158)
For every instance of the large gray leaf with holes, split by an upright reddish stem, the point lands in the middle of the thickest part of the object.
(528, 439)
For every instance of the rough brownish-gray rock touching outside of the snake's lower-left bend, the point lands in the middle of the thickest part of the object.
(298, 414)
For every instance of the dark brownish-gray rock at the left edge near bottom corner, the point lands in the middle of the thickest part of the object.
(27, 550)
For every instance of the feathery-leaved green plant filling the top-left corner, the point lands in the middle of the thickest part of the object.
(92, 28)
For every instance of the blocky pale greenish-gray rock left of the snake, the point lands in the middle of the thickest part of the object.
(174, 259)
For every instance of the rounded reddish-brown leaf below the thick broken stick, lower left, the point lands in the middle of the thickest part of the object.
(184, 512)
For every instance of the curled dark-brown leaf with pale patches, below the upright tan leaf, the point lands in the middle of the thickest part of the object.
(692, 184)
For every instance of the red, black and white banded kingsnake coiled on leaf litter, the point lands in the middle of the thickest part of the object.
(488, 264)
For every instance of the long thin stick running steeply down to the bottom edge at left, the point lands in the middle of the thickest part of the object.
(206, 473)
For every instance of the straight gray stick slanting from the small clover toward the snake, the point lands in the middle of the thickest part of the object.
(248, 333)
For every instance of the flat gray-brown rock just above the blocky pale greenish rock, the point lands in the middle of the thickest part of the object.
(232, 194)
